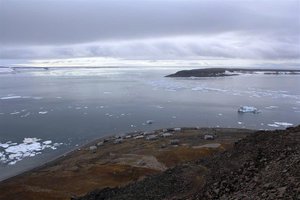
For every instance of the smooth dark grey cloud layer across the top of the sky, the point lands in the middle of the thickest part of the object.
(66, 22)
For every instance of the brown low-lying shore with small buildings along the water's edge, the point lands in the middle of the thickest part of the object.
(118, 161)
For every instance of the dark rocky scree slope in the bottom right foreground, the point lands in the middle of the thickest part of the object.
(264, 165)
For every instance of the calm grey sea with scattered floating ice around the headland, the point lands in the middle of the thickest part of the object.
(70, 107)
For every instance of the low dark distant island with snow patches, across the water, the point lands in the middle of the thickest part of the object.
(220, 72)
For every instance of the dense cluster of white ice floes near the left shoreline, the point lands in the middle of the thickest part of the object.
(11, 153)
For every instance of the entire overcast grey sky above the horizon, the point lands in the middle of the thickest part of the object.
(150, 29)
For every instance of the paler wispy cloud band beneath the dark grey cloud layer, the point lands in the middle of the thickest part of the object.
(231, 45)
